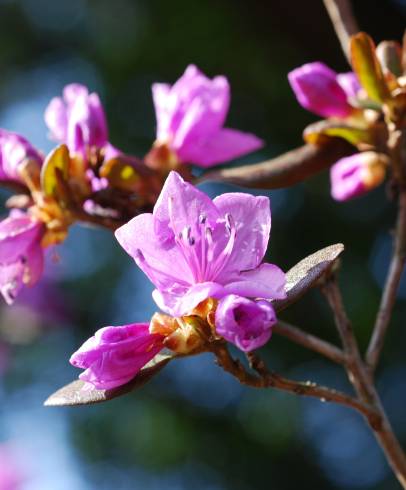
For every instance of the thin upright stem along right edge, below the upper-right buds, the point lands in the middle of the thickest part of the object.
(391, 287)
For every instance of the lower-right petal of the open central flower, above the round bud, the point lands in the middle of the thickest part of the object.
(267, 281)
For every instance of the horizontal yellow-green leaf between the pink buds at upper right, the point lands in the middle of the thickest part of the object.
(317, 133)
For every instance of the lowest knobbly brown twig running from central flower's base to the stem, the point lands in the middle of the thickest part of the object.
(268, 379)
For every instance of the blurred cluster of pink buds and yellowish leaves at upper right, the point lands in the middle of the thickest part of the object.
(361, 107)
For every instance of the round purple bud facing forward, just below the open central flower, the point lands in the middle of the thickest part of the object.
(245, 323)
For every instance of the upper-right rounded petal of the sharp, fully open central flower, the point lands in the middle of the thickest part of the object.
(252, 219)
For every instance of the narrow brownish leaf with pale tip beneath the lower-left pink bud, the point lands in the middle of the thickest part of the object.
(74, 395)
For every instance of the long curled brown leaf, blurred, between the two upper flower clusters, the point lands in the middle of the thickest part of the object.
(285, 170)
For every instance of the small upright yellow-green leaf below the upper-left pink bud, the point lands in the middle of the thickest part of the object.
(57, 159)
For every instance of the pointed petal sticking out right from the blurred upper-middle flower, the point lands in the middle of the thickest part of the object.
(222, 146)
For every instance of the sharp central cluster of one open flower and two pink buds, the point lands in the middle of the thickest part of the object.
(205, 259)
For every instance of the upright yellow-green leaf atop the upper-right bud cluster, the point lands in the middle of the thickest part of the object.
(366, 65)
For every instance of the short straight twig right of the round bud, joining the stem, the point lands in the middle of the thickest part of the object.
(310, 341)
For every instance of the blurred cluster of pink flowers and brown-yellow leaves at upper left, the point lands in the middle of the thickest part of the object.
(86, 178)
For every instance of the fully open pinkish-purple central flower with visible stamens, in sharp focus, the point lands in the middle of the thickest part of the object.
(193, 248)
